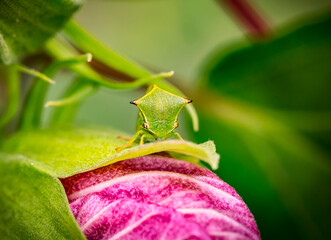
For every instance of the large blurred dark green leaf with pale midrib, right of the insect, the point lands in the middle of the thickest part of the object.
(271, 105)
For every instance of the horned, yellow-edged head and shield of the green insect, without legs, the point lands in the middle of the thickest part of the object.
(159, 110)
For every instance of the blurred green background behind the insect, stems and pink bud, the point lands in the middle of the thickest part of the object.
(266, 103)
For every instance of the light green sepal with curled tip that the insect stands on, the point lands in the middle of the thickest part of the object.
(63, 153)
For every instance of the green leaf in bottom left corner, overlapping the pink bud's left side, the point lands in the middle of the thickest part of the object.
(33, 204)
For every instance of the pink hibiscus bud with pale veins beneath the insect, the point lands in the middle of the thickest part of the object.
(155, 197)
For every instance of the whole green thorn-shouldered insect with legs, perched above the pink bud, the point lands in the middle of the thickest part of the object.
(158, 115)
